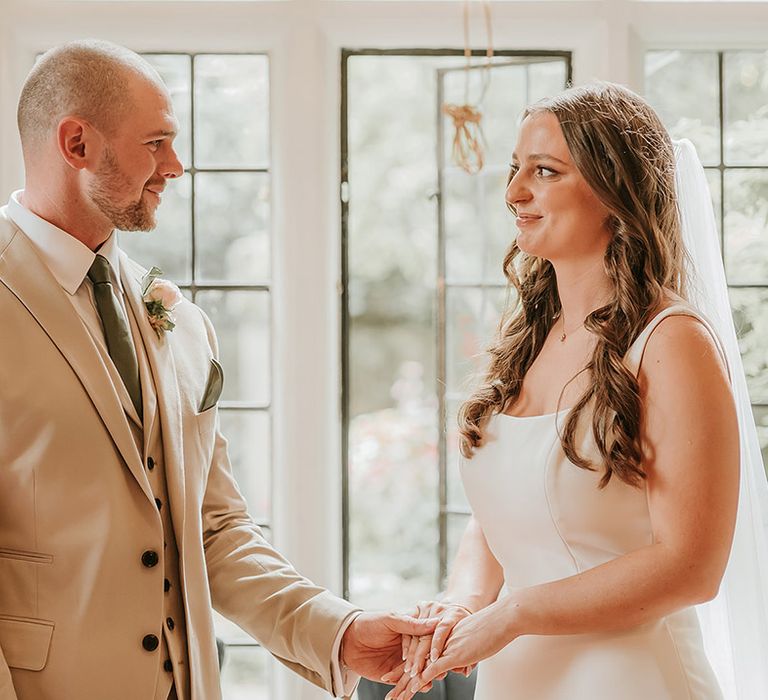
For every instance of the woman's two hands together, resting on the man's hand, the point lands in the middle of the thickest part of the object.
(465, 639)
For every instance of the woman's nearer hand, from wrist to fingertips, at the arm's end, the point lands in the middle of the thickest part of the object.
(473, 639)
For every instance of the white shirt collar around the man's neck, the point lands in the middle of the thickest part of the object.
(66, 257)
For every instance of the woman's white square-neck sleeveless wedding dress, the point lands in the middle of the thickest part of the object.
(545, 519)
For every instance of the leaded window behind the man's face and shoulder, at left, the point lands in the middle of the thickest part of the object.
(213, 239)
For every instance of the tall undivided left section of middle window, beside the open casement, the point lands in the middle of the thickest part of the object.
(392, 245)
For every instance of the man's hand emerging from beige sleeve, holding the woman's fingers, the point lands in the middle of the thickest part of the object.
(372, 644)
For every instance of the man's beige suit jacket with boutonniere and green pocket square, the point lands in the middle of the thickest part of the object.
(76, 511)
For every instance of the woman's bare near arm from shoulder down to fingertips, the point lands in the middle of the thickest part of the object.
(691, 446)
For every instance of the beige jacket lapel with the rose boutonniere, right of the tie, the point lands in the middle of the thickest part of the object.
(163, 370)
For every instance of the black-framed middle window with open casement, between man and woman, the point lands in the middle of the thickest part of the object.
(424, 290)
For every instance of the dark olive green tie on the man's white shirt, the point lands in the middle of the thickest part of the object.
(116, 330)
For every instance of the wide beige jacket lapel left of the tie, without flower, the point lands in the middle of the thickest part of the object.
(22, 271)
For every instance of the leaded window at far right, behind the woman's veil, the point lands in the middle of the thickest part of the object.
(719, 100)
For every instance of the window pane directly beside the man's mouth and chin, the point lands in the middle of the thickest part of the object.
(169, 246)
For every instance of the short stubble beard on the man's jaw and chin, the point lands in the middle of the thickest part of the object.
(136, 216)
